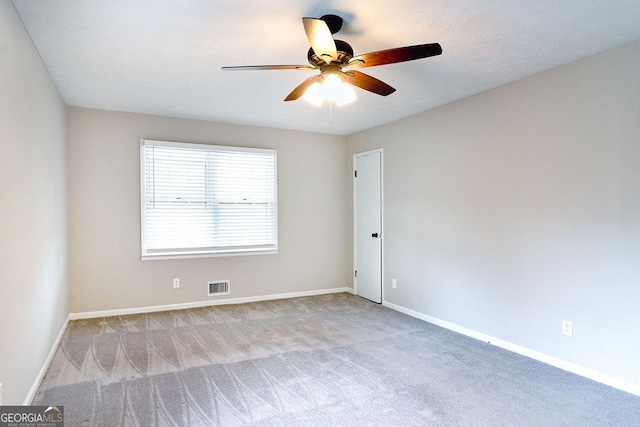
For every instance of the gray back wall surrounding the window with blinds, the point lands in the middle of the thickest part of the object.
(105, 269)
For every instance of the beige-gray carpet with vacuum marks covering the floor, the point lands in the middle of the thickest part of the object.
(326, 360)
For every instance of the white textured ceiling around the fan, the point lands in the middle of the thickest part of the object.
(164, 56)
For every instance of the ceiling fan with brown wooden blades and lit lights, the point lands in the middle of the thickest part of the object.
(331, 56)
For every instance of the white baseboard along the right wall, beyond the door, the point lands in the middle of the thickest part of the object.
(524, 351)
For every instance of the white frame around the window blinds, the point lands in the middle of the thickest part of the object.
(178, 254)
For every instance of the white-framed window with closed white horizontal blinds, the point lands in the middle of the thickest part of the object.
(205, 200)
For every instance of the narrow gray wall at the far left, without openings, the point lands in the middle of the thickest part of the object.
(33, 283)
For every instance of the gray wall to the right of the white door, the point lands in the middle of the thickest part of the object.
(511, 210)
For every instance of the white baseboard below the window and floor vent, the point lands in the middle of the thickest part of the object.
(197, 304)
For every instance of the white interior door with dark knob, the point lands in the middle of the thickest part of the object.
(367, 206)
